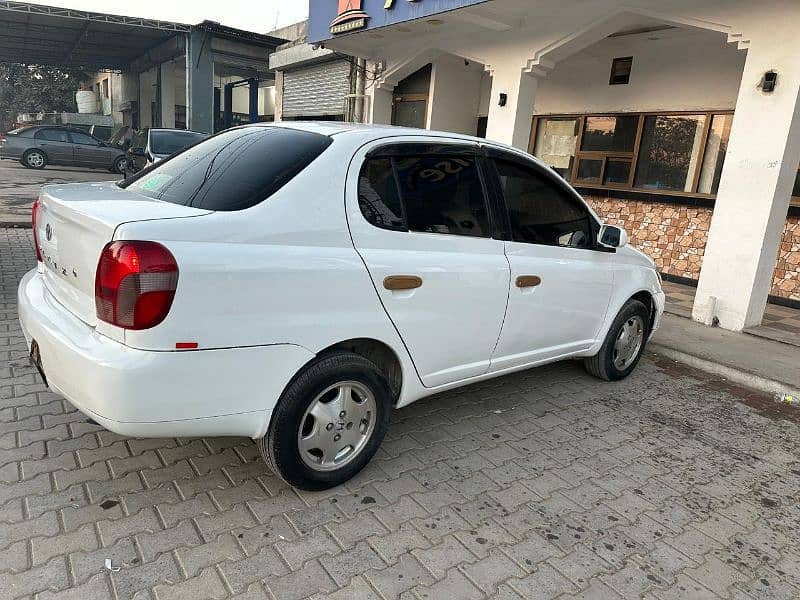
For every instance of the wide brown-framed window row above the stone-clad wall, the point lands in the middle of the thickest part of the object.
(671, 153)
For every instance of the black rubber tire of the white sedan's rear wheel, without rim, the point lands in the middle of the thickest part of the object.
(280, 447)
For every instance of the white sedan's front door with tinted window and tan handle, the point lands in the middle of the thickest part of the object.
(560, 284)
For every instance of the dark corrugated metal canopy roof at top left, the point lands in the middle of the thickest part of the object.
(67, 38)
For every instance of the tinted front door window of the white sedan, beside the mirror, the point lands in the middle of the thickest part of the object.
(540, 211)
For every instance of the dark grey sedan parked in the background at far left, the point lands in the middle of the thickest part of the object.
(38, 146)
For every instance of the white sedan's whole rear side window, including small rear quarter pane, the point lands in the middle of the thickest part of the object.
(437, 194)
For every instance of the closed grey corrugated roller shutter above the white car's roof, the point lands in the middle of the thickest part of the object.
(317, 90)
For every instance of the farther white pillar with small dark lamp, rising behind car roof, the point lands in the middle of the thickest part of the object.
(511, 124)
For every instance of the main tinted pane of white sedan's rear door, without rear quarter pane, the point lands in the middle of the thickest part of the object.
(443, 194)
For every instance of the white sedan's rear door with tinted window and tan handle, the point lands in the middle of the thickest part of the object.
(419, 218)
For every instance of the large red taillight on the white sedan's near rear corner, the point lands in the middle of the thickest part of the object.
(135, 284)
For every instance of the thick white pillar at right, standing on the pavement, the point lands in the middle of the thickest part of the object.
(753, 199)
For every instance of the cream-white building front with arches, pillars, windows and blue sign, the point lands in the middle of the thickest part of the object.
(679, 121)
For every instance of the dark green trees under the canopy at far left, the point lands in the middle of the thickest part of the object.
(35, 88)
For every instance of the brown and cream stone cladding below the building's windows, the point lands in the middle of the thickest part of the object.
(675, 236)
